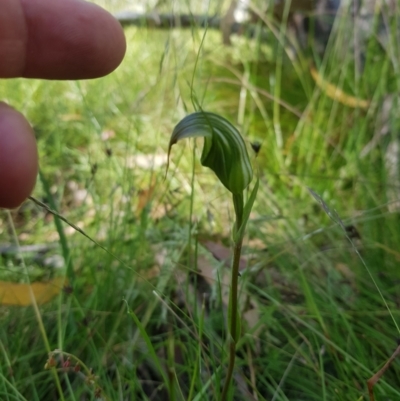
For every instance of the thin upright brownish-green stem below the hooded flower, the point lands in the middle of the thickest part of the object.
(233, 311)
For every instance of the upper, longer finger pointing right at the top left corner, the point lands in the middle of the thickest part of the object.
(67, 39)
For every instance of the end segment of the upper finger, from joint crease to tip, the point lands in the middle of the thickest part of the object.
(86, 42)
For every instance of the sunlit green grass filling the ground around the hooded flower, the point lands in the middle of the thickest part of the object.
(138, 315)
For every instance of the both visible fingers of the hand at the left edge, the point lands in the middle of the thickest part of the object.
(66, 39)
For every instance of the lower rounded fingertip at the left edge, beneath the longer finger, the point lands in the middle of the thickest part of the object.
(18, 157)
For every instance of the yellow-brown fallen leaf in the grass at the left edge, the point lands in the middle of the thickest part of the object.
(20, 294)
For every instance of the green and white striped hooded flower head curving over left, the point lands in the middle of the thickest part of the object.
(224, 150)
